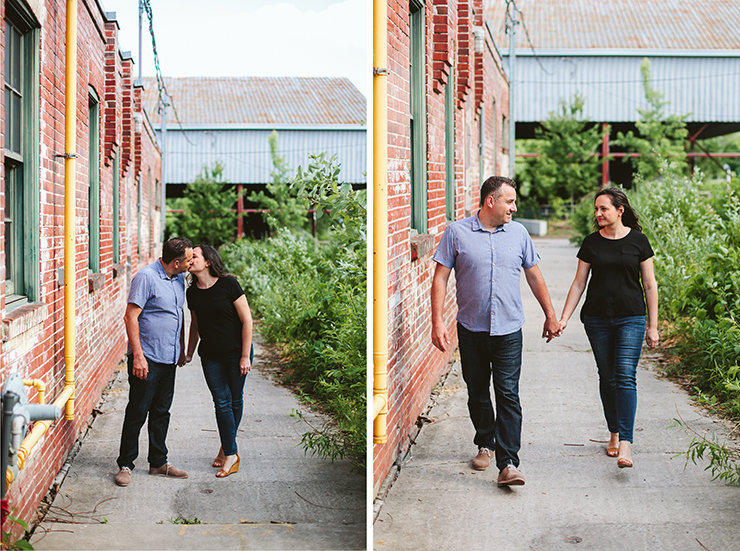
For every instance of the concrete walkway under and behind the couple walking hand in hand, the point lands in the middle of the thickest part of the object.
(575, 497)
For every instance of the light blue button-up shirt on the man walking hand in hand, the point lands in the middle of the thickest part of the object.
(487, 268)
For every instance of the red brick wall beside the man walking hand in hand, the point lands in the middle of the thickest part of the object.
(414, 365)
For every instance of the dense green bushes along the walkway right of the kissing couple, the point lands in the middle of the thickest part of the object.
(311, 299)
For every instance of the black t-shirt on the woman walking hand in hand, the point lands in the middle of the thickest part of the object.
(615, 288)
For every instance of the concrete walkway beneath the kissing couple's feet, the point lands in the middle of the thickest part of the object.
(279, 499)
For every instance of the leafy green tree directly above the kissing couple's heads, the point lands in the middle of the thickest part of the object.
(208, 203)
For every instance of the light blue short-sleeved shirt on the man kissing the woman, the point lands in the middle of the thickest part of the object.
(161, 300)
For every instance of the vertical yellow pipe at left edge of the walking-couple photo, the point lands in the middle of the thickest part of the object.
(380, 221)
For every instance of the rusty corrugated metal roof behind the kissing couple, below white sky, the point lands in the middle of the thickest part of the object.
(259, 100)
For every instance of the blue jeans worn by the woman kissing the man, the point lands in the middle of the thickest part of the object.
(226, 383)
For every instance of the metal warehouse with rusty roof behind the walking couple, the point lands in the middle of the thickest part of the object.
(595, 48)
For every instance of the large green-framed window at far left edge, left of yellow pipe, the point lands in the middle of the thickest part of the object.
(21, 90)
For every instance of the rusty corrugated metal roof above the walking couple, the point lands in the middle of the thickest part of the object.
(620, 24)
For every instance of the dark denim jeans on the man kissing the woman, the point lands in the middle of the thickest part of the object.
(153, 397)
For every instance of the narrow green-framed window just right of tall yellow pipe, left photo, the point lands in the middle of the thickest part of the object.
(94, 180)
